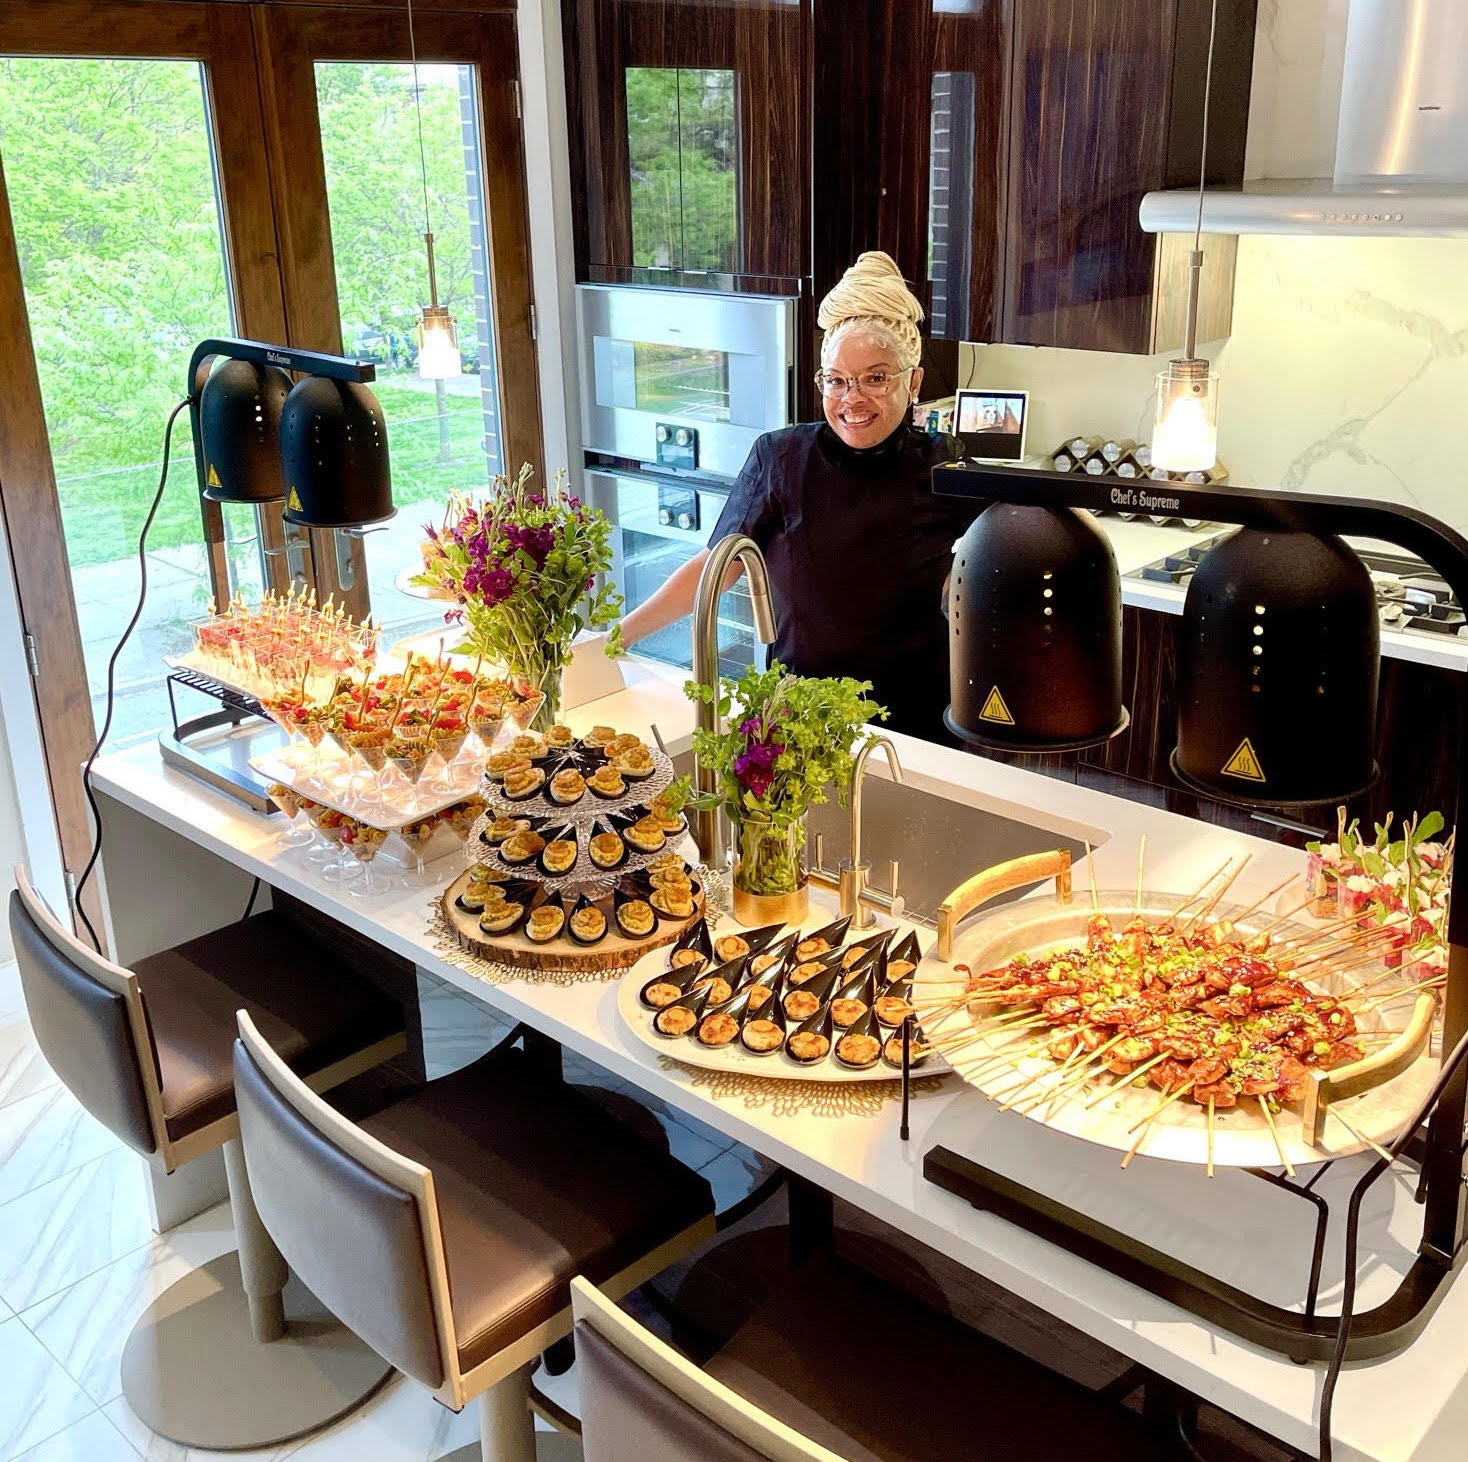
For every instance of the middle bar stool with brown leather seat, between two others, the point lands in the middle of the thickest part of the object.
(447, 1229)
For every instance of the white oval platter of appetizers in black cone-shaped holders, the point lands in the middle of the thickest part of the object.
(855, 970)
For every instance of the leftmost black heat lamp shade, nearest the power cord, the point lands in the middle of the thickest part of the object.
(240, 426)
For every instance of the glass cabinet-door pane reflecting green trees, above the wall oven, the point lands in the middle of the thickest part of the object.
(683, 155)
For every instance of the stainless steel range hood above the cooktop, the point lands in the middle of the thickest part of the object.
(1401, 140)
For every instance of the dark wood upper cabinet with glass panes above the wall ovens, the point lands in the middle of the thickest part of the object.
(691, 140)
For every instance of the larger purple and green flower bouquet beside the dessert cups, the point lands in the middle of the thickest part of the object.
(528, 573)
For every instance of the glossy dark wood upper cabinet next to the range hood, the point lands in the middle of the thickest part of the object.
(1106, 105)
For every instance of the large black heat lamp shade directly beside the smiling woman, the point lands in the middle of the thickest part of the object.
(1034, 633)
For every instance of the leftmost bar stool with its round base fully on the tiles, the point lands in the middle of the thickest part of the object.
(236, 1354)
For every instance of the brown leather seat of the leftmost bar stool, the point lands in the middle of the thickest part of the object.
(309, 1003)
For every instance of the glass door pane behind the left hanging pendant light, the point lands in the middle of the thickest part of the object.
(446, 435)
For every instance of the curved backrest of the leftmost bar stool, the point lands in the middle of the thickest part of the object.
(89, 1022)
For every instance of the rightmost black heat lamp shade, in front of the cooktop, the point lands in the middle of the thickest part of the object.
(1278, 676)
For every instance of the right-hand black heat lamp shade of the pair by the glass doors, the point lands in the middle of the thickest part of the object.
(334, 451)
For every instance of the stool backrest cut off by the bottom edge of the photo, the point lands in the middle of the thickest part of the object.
(642, 1400)
